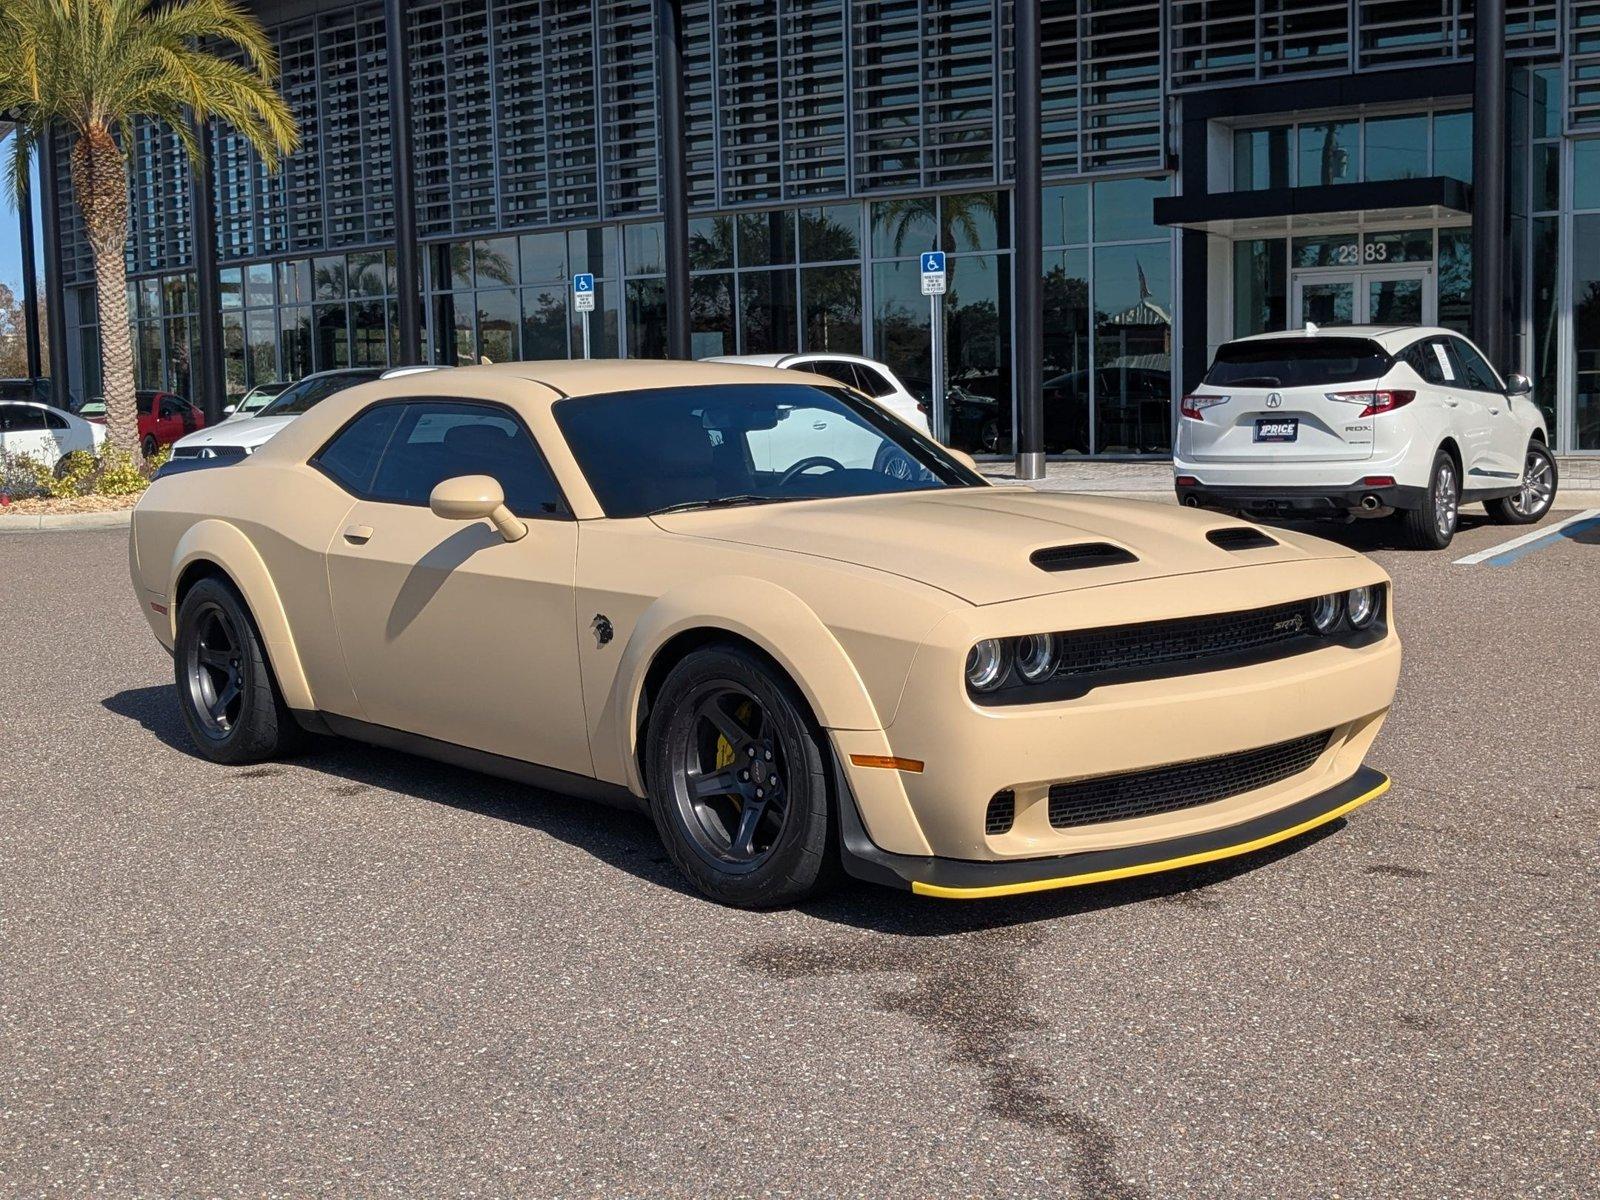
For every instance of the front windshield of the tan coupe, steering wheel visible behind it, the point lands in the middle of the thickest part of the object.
(746, 444)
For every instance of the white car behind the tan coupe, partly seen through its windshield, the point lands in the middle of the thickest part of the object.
(849, 446)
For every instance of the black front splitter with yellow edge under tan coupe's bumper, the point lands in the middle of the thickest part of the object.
(958, 879)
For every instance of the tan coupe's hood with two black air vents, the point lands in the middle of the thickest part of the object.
(978, 543)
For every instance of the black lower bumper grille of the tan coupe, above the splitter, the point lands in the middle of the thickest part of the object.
(1169, 790)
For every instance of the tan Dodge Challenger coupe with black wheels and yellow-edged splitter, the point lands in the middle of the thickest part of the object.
(690, 590)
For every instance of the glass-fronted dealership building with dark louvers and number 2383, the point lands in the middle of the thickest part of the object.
(750, 177)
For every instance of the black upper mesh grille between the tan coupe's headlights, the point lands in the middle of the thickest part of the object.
(1183, 641)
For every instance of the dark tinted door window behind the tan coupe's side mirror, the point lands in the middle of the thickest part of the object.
(439, 441)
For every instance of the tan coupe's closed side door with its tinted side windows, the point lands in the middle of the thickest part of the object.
(449, 631)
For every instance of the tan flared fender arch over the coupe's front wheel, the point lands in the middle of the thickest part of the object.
(759, 612)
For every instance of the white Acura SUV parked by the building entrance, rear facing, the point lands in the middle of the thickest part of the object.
(1366, 422)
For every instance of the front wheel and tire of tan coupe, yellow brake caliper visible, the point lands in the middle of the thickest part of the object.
(721, 713)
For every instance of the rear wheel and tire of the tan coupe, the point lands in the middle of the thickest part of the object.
(226, 692)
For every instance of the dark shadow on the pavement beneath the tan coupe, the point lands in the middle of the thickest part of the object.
(628, 841)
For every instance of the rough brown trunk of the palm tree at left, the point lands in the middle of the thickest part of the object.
(100, 186)
